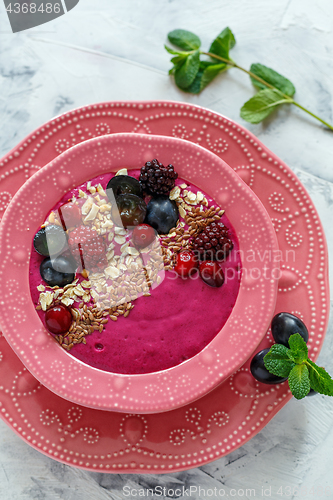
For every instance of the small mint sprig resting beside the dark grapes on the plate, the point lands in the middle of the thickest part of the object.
(295, 364)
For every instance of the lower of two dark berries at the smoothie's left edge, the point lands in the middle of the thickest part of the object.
(59, 271)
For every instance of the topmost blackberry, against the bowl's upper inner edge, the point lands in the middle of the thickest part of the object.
(155, 178)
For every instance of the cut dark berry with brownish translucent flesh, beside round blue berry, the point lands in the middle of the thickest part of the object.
(130, 210)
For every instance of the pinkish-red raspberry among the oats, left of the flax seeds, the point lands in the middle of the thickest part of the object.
(88, 248)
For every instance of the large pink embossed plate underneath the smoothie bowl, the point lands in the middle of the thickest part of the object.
(234, 412)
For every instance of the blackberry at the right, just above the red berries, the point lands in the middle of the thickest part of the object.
(213, 242)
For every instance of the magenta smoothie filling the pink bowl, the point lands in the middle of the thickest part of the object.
(170, 324)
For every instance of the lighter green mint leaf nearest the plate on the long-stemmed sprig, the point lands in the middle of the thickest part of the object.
(261, 105)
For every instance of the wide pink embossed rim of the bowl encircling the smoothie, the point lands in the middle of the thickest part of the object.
(80, 383)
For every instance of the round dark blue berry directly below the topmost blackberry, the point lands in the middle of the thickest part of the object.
(162, 214)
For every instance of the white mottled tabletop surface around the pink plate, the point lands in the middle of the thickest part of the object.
(105, 50)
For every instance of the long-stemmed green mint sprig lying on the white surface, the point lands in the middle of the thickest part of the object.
(192, 74)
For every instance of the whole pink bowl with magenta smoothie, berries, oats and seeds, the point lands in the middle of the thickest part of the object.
(127, 281)
